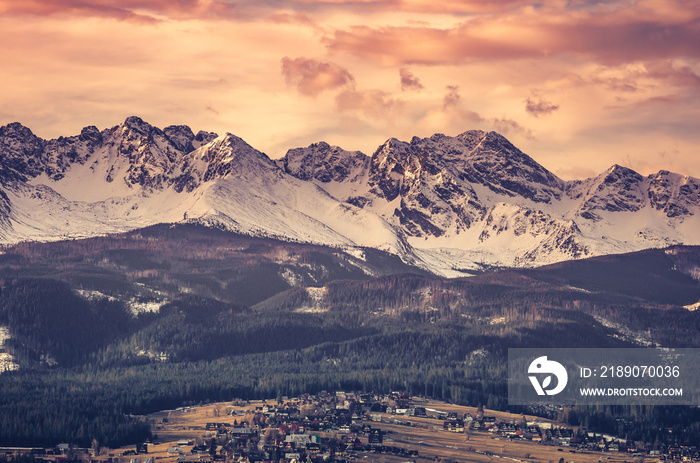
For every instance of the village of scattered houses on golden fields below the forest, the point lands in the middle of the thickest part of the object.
(360, 427)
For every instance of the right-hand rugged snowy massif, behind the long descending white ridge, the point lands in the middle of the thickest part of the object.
(475, 201)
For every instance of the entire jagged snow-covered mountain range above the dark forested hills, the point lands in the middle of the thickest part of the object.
(450, 205)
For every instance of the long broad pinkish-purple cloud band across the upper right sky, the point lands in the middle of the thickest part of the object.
(621, 33)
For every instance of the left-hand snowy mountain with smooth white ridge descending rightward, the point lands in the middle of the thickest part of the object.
(138, 177)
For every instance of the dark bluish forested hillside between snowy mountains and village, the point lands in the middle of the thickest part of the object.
(108, 328)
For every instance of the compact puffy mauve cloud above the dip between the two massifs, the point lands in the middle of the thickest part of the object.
(312, 77)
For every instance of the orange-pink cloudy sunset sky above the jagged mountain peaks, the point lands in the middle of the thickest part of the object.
(578, 85)
